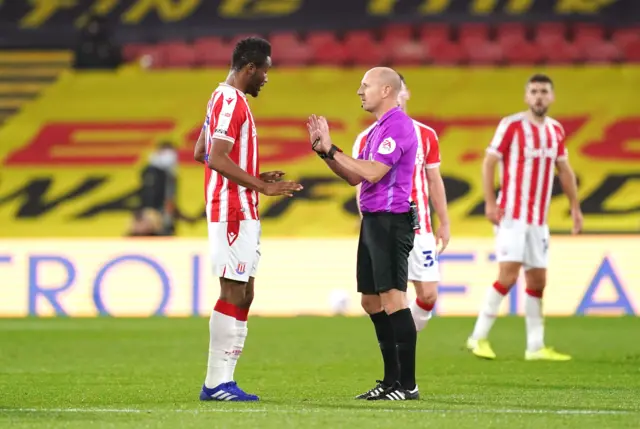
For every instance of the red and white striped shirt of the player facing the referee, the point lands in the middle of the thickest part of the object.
(229, 118)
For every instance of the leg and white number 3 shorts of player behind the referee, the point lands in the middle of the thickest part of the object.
(425, 275)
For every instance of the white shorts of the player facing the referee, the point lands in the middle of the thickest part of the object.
(234, 248)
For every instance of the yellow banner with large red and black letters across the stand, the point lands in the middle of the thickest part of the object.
(71, 160)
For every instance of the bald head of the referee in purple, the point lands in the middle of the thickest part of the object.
(379, 89)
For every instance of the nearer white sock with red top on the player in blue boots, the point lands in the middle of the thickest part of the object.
(222, 330)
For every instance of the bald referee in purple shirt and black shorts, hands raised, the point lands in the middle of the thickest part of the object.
(385, 169)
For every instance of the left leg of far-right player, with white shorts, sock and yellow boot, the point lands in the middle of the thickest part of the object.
(510, 240)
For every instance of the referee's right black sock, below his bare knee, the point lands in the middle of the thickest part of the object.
(406, 337)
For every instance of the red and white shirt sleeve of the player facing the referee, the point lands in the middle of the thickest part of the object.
(227, 117)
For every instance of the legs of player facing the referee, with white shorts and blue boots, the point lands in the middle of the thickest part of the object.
(233, 252)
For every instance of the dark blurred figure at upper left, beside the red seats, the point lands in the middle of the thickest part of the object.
(95, 49)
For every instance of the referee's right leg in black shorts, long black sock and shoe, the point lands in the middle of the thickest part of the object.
(391, 283)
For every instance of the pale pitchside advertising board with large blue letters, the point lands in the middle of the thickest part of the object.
(172, 277)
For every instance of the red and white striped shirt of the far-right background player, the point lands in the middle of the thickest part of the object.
(529, 153)
